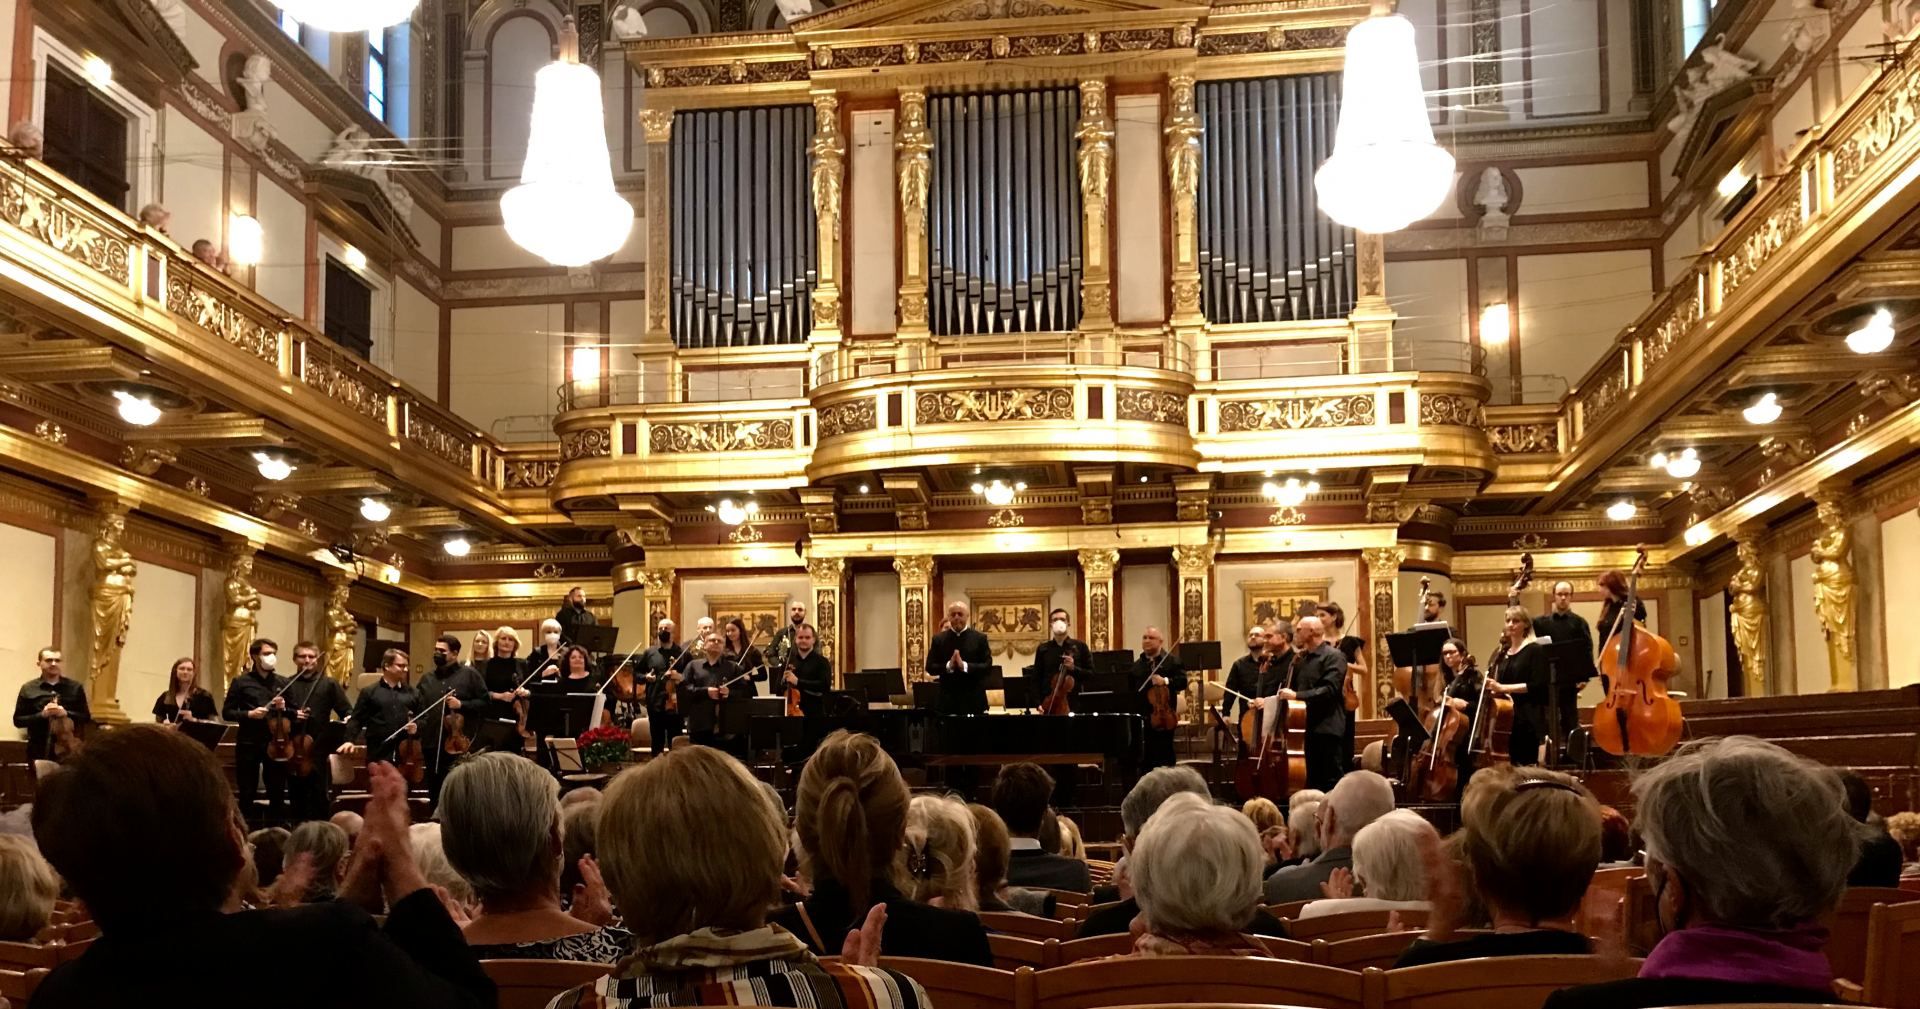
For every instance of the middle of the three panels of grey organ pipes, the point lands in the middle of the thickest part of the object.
(1005, 214)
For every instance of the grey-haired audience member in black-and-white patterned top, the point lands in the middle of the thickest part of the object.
(502, 832)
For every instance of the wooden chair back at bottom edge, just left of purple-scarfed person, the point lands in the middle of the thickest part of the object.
(1495, 983)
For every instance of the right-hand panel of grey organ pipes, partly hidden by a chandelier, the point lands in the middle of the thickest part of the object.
(1266, 252)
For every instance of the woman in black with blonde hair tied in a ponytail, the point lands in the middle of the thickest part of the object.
(852, 820)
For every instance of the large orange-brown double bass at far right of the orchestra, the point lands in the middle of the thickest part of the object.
(1639, 715)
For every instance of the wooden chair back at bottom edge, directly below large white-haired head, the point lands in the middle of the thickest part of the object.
(1195, 979)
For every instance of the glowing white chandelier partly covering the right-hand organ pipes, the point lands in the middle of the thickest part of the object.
(1385, 172)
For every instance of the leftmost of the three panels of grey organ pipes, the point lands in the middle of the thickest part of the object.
(744, 254)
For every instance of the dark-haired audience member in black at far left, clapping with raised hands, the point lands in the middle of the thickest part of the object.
(145, 830)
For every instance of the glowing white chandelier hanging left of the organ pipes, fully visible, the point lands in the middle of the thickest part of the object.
(565, 208)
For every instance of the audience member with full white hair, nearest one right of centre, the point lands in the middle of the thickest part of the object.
(1197, 881)
